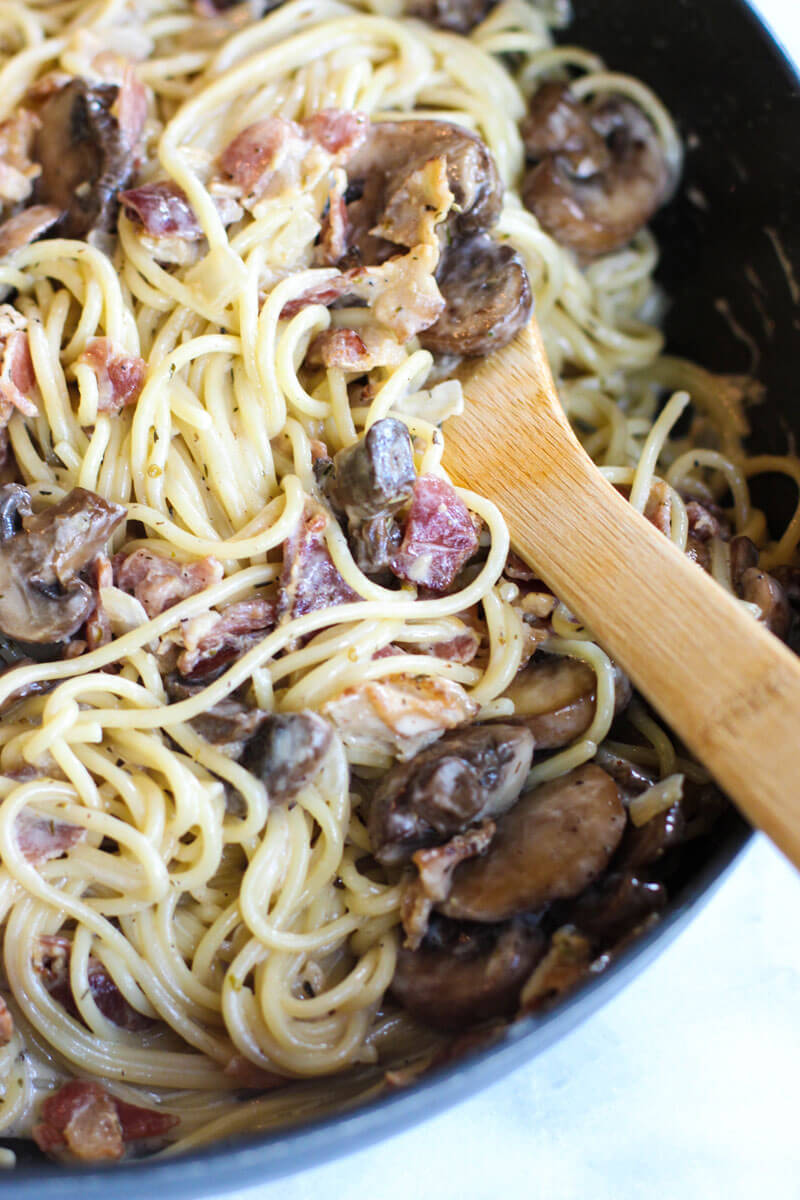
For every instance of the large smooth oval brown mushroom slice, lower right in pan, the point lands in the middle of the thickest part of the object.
(550, 847)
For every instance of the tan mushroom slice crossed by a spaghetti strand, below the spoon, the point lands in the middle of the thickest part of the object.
(555, 697)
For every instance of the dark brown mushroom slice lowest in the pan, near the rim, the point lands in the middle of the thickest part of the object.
(462, 976)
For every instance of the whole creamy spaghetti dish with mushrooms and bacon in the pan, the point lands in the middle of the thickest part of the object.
(306, 779)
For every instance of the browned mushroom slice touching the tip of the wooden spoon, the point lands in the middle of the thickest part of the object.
(488, 298)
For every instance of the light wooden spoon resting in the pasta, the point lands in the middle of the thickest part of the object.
(729, 688)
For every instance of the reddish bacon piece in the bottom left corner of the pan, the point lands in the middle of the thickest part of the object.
(87, 1120)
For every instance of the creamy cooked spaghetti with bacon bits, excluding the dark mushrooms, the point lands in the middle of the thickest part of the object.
(248, 941)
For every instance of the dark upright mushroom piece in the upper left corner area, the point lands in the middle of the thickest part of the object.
(87, 147)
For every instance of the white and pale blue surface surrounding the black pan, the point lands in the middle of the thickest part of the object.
(684, 1088)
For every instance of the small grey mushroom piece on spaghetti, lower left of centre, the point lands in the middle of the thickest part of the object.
(287, 752)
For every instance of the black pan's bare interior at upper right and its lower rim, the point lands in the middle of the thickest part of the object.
(731, 236)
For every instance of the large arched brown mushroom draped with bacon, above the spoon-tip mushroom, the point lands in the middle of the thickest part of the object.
(386, 189)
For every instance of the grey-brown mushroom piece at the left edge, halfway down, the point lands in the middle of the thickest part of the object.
(43, 599)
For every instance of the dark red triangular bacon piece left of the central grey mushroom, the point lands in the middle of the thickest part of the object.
(310, 580)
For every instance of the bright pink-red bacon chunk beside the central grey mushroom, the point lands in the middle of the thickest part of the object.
(440, 536)
